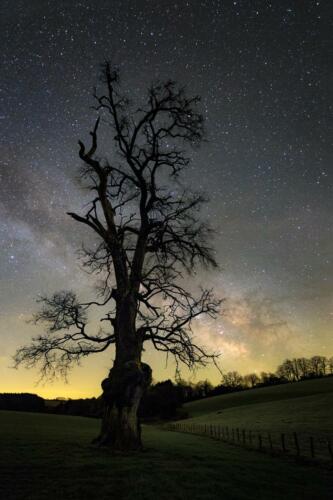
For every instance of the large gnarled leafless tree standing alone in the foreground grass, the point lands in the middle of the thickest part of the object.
(148, 233)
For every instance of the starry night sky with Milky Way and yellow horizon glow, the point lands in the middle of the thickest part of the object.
(262, 69)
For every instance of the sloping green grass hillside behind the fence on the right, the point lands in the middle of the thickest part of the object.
(305, 407)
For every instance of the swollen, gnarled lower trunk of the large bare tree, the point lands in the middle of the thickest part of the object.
(122, 393)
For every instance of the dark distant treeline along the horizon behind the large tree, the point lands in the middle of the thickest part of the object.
(164, 400)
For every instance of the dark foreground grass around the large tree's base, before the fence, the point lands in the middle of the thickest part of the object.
(49, 457)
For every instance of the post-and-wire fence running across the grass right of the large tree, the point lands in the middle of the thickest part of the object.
(300, 445)
